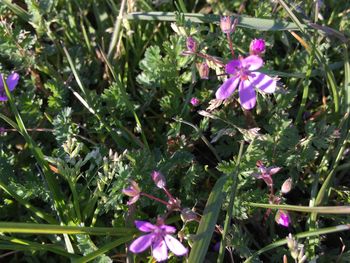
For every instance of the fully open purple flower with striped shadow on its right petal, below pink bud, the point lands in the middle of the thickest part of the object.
(244, 74)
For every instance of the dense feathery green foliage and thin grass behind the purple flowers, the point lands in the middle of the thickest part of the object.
(107, 103)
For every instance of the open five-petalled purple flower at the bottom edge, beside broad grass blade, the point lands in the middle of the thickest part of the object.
(159, 239)
